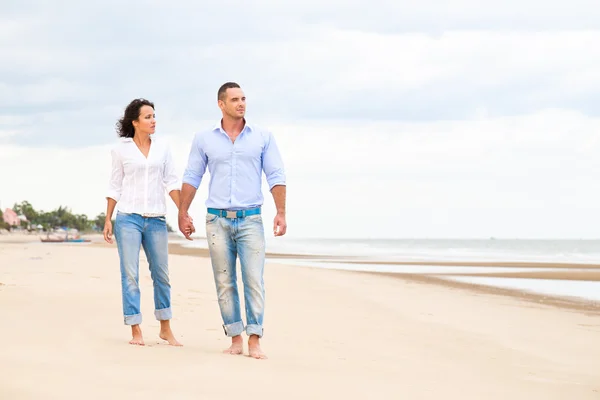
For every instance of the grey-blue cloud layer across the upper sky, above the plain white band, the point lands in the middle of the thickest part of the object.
(80, 65)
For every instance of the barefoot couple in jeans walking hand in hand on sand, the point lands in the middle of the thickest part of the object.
(236, 154)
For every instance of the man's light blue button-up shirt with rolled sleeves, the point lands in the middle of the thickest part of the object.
(235, 168)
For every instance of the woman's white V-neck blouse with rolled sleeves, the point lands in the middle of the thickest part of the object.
(138, 184)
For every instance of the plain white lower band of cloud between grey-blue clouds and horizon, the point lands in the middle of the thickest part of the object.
(525, 176)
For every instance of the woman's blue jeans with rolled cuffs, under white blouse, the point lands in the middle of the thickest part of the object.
(134, 232)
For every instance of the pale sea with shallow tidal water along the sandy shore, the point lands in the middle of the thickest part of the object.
(381, 255)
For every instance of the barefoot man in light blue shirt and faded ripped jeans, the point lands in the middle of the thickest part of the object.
(236, 154)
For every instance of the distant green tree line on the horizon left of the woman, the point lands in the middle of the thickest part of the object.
(62, 217)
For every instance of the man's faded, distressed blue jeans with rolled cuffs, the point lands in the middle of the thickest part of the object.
(228, 239)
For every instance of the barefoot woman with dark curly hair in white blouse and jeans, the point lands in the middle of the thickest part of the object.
(142, 169)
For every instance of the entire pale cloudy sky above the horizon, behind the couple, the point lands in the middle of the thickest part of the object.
(395, 119)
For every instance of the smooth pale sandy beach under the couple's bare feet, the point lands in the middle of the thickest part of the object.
(328, 333)
